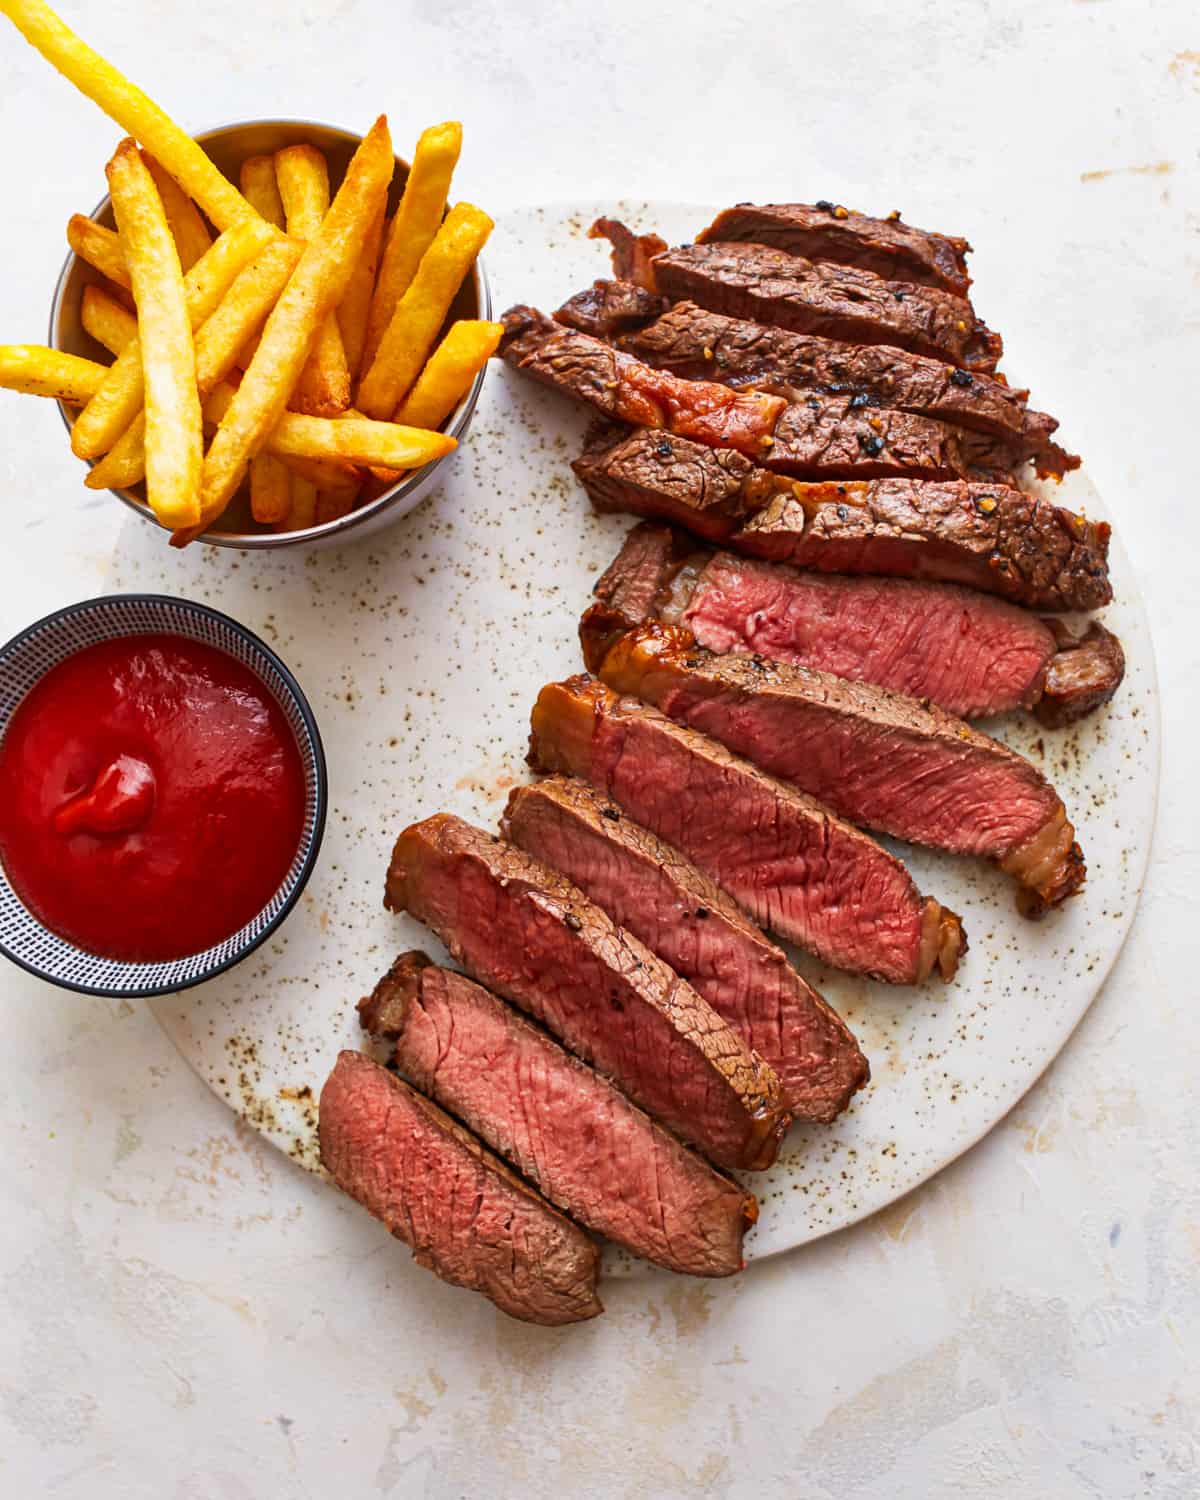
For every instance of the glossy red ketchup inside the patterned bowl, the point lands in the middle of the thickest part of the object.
(152, 799)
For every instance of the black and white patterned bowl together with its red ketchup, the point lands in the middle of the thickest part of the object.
(163, 794)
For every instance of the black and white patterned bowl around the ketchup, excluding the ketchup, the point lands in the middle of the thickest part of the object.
(26, 659)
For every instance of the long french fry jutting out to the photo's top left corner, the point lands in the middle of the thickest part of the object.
(131, 109)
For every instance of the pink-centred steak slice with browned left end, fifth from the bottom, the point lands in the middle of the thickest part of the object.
(790, 862)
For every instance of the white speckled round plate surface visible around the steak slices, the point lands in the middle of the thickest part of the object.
(422, 650)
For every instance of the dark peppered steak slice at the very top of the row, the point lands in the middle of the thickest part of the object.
(827, 233)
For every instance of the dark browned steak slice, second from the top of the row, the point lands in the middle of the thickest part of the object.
(838, 302)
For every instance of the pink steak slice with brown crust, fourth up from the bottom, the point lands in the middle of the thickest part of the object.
(688, 920)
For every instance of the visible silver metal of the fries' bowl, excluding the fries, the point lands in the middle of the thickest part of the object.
(229, 146)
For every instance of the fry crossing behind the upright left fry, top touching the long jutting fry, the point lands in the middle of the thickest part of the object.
(116, 404)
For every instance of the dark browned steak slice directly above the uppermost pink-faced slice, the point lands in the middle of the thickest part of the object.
(992, 538)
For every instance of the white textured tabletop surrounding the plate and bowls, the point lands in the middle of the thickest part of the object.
(188, 1316)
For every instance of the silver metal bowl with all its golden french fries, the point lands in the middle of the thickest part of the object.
(272, 334)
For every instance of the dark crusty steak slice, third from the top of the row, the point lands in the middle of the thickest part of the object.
(697, 344)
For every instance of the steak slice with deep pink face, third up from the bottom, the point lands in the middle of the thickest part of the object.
(536, 940)
